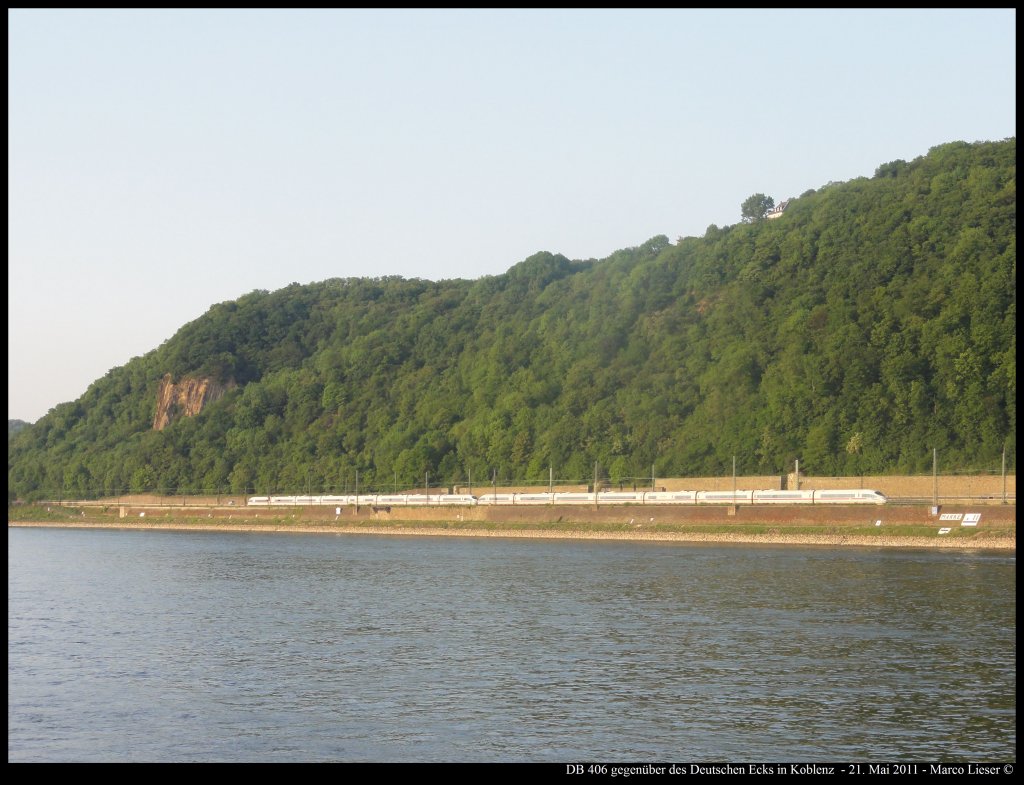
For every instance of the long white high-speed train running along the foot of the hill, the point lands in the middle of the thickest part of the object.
(851, 497)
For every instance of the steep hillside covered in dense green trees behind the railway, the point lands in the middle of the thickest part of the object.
(874, 321)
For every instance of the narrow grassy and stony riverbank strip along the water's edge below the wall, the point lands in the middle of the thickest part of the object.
(802, 535)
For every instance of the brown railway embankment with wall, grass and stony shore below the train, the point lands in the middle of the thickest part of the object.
(968, 527)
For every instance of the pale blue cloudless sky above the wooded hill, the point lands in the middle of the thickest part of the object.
(161, 162)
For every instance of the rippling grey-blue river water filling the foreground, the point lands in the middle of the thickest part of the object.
(177, 646)
